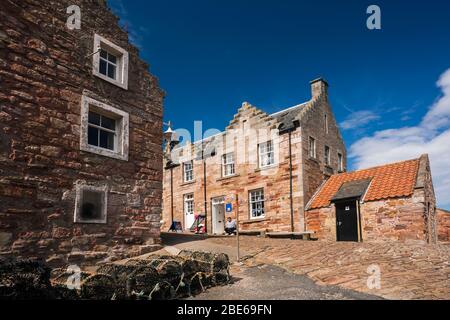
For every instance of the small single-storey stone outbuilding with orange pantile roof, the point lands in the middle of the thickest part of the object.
(394, 202)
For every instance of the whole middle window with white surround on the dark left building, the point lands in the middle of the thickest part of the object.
(104, 129)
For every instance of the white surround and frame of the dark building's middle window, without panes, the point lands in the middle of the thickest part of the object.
(121, 141)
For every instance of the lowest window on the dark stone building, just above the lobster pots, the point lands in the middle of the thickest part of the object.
(91, 204)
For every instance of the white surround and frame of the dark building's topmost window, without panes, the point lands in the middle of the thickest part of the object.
(122, 61)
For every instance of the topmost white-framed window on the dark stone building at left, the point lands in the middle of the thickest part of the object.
(110, 63)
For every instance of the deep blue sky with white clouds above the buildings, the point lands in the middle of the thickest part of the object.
(210, 56)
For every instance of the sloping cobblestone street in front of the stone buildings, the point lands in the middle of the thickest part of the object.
(408, 270)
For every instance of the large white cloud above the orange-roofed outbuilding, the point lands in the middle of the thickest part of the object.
(431, 135)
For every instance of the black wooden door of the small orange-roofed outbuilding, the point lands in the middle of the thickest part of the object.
(346, 221)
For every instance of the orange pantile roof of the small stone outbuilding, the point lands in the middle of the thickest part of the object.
(388, 181)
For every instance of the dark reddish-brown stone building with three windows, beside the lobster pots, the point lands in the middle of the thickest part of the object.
(80, 135)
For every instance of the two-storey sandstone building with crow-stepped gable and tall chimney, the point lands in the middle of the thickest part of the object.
(263, 168)
